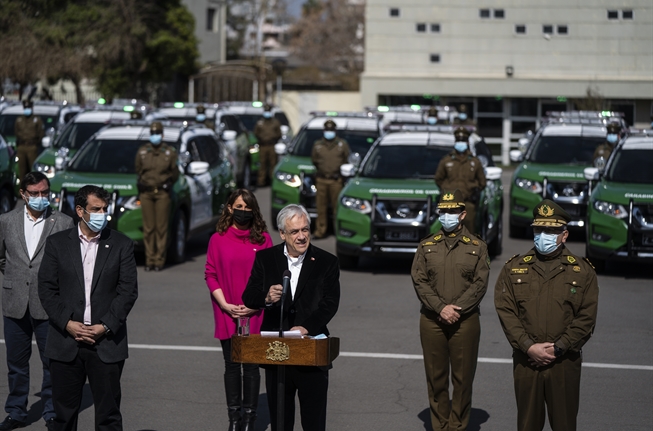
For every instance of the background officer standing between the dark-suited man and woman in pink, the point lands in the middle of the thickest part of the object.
(156, 167)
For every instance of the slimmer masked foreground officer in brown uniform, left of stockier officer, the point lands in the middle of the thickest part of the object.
(450, 275)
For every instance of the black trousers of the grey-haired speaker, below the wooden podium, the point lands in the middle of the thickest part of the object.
(311, 385)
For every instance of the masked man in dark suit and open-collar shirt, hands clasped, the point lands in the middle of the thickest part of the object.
(87, 284)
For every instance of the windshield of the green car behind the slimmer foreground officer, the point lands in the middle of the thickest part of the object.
(403, 161)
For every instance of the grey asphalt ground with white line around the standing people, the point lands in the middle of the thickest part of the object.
(173, 378)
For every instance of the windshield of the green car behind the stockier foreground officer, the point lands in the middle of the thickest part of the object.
(565, 150)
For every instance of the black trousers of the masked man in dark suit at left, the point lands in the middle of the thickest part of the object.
(68, 380)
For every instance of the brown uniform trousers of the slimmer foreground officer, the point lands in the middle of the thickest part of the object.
(446, 346)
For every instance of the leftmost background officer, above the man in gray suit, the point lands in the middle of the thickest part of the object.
(29, 132)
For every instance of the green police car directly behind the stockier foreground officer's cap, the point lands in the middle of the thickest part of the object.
(552, 168)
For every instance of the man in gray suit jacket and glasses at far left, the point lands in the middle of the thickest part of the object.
(22, 237)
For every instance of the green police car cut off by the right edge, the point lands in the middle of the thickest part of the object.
(620, 209)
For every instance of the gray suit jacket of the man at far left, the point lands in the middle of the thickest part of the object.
(20, 282)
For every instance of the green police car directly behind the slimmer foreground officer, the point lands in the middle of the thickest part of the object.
(389, 203)
